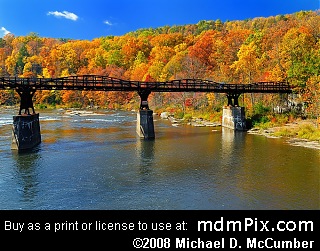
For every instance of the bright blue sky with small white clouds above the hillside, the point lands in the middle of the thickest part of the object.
(89, 19)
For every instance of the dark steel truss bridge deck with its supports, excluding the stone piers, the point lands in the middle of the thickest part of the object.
(26, 87)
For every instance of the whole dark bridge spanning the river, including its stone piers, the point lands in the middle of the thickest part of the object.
(26, 87)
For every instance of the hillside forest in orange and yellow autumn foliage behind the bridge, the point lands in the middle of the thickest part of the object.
(279, 48)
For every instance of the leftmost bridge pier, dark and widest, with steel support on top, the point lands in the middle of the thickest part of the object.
(26, 127)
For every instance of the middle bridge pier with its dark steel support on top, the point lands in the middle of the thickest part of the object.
(145, 125)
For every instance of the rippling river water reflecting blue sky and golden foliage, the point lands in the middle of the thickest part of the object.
(96, 161)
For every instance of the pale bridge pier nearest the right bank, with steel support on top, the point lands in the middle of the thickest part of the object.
(233, 115)
